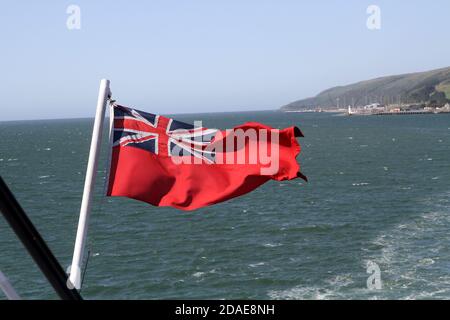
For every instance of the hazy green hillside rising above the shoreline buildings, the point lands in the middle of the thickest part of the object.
(424, 87)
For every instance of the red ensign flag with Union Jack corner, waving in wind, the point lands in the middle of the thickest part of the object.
(166, 162)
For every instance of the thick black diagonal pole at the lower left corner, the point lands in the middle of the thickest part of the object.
(33, 242)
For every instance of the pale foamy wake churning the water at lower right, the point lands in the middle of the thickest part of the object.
(414, 255)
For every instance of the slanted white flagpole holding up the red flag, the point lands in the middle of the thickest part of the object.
(91, 172)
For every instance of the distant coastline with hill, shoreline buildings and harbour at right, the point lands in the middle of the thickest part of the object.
(414, 93)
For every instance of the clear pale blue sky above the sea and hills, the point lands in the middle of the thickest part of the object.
(206, 56)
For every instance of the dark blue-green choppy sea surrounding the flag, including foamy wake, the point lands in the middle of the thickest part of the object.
(378, 193)
